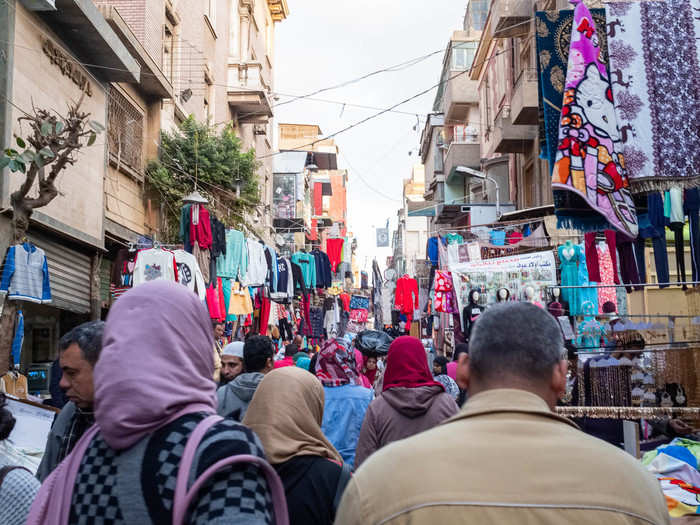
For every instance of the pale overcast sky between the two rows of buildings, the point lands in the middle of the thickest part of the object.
(326, 42)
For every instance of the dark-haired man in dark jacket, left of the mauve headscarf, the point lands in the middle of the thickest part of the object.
(78, 350)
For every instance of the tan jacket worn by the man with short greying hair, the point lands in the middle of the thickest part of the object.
(504, 459)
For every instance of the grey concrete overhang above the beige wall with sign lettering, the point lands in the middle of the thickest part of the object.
(89, 36)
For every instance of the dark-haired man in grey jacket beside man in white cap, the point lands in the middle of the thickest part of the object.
(234, 397)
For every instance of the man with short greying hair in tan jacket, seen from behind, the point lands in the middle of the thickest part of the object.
(506, 457)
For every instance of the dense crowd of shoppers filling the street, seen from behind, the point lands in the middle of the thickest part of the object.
(316, 439)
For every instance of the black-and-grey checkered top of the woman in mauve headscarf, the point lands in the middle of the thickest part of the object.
(106, 488)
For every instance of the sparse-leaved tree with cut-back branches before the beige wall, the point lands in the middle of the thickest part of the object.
(50, 146)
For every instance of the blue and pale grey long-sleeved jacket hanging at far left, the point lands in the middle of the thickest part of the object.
(25, 274)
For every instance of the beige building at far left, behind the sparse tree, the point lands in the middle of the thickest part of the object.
(43, 52)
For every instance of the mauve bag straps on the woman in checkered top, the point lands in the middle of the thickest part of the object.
(183, 497)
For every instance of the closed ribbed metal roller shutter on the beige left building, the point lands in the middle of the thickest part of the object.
(69, 274)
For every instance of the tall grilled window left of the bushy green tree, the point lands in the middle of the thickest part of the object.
(124, 131)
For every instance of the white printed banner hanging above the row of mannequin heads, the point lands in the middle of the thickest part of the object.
(514, 272)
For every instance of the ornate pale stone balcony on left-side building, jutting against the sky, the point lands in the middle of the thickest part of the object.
(248, 92)
